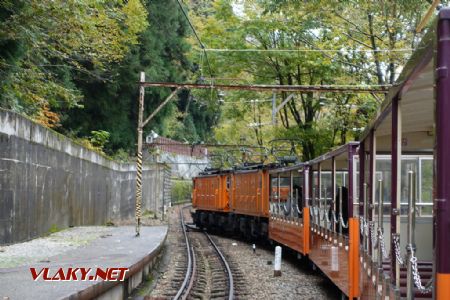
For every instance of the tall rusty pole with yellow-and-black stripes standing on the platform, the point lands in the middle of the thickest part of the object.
(139, 155)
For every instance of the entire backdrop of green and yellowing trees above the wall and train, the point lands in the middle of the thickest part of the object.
(73, 65)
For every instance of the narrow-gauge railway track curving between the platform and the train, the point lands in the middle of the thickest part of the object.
(208, 274)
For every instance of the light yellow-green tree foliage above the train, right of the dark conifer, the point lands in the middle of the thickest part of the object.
(318, 121)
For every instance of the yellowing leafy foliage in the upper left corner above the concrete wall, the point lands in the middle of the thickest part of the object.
(44, 43)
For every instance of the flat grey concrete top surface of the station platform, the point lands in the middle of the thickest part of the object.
(79, 247)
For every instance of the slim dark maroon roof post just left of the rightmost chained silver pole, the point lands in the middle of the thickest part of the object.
(395, 185)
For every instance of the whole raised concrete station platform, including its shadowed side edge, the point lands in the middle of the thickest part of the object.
(84, 248)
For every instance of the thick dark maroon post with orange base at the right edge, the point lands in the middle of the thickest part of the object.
(442, 159)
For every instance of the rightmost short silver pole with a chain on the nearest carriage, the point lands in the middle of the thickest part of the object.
(411, 228)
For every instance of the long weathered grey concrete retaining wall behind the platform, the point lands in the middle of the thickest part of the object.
(47, 181)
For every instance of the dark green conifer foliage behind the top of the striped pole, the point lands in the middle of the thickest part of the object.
(112, 105)
